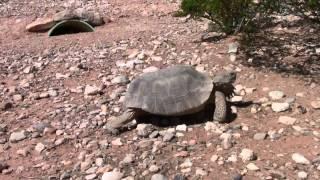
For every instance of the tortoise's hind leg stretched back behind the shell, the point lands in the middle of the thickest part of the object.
(115, 123)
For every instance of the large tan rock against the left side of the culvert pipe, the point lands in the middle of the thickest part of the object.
(41, 24)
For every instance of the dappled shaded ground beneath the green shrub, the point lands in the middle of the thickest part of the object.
(290, 47)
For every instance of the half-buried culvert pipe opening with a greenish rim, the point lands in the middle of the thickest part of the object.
(70, 27)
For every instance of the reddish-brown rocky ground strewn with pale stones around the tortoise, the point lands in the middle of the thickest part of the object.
(57, 93)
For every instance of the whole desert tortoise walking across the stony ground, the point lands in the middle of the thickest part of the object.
(173, 91)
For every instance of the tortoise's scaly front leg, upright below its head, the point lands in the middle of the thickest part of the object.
(220, 110)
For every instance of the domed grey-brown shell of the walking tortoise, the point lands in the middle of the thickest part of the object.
(176, 90)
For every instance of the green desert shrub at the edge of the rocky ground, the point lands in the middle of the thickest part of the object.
(233, 16)
